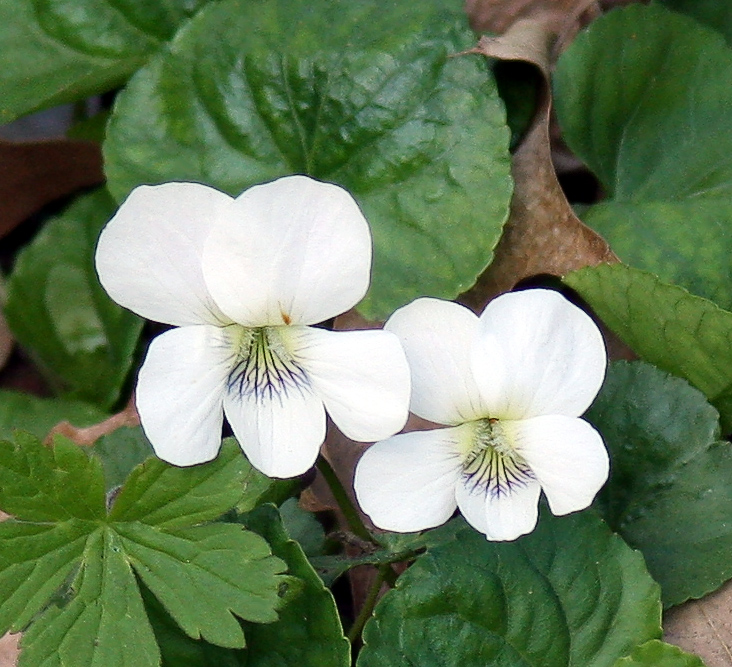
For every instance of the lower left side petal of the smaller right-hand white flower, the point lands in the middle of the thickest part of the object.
(407, 483)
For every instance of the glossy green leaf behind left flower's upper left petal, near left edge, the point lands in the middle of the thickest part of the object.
(57, 308)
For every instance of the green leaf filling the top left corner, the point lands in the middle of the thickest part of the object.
(57, 51)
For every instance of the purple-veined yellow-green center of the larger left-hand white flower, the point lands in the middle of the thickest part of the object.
(265, 364)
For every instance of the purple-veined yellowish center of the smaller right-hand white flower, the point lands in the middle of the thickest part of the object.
(492, 466)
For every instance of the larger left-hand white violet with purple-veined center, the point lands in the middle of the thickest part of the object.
(243, 280)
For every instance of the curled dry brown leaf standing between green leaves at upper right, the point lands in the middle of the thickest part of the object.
(542, 235)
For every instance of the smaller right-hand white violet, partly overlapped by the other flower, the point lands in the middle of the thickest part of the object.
(511, 386)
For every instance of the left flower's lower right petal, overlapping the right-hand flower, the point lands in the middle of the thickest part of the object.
(362, 377)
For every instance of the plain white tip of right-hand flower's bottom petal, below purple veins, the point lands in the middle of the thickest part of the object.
(503, 517)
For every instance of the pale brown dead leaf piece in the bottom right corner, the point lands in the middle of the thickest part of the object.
(703, 627)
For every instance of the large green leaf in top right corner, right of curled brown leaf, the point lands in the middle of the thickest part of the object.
(651, 119)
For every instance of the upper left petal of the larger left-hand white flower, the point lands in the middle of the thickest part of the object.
(149, 255)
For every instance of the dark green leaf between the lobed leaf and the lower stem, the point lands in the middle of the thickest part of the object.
(309, 632)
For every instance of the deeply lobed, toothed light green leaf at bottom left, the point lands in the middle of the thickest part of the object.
(69, 568)
